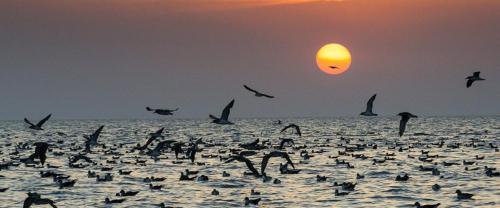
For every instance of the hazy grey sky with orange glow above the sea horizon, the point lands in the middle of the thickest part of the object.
(85, 59)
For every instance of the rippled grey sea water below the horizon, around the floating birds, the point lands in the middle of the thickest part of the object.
(377, 189)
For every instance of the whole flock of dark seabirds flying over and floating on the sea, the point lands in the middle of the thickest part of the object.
(190, 150)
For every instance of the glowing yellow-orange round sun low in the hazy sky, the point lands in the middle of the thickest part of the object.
(333, 59)
